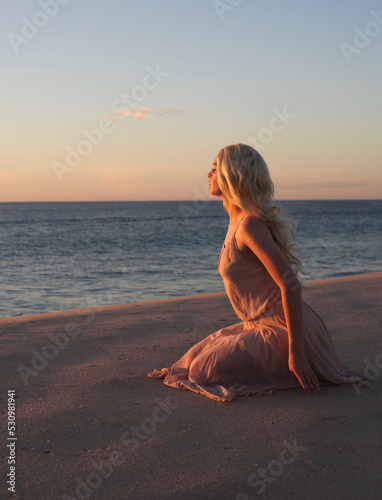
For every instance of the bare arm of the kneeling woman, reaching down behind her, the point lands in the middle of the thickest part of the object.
(254, 236)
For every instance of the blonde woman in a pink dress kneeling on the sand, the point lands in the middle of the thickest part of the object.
(281, 342)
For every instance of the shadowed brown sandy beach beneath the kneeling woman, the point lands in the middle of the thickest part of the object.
(91, 424)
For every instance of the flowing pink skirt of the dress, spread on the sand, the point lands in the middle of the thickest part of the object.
(252, 358)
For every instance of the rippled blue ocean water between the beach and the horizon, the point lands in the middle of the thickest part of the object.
(58, 256)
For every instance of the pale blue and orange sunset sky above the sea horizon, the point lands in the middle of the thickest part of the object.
(132, 100)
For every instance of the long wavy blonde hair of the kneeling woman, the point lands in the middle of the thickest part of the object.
(243, 178)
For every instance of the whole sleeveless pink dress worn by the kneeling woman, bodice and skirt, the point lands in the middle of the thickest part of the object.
(251, 357)
